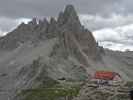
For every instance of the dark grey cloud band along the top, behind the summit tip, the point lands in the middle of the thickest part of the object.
(31, 8)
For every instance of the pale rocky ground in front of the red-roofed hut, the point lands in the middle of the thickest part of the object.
(92, 91)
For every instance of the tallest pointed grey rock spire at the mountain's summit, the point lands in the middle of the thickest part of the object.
(69, 19)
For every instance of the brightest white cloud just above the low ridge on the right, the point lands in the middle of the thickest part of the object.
(119, 38)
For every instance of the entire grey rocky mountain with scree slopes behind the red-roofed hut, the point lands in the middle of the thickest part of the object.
(61, 49)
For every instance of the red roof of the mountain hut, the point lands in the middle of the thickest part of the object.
(106, 75)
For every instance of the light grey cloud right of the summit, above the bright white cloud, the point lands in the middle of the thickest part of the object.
(96, 22)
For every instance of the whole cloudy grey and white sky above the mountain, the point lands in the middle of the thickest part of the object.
(111, 21)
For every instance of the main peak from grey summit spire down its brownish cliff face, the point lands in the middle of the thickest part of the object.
(78, 40)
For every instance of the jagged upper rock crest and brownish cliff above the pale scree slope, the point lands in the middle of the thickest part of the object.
(77, 40)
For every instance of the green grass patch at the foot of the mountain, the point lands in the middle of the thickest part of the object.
(53, 93)
